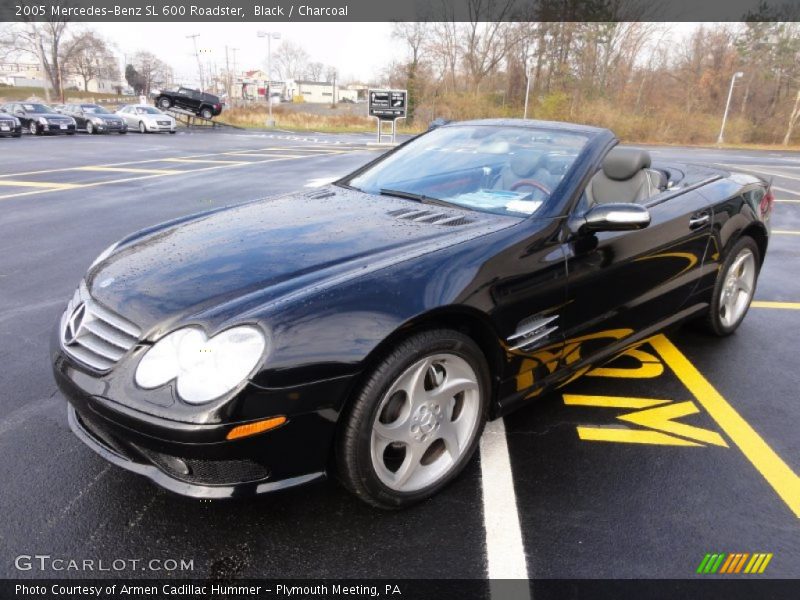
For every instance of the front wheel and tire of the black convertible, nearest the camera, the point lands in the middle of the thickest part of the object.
(395, 474)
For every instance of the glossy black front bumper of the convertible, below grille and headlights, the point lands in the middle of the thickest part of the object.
(195, 459)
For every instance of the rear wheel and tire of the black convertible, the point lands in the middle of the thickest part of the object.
(730, 300)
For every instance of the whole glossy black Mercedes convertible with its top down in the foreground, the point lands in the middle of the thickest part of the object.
(369, 328)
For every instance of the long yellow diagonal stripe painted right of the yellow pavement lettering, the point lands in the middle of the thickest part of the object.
(771, 466)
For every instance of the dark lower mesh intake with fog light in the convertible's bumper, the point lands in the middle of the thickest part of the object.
(207, 472)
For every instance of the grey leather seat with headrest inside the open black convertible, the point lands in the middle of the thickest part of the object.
(626, 176)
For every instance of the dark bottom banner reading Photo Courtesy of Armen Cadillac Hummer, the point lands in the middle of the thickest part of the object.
(407, 589)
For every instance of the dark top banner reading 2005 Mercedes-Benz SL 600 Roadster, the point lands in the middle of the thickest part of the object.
(398, 10)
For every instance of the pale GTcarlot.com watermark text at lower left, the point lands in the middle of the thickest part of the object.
(48, 563)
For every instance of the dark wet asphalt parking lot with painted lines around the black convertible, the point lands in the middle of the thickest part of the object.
(684, 447)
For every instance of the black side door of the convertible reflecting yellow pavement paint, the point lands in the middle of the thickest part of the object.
(623, 285)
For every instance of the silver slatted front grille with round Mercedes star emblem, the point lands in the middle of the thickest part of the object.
(94, 335)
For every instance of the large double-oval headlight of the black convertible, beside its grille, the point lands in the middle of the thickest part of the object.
(204, 368)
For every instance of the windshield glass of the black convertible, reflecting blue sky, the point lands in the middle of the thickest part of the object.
(502, 170)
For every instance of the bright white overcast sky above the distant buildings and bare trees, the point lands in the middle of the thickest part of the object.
(360, 51)
